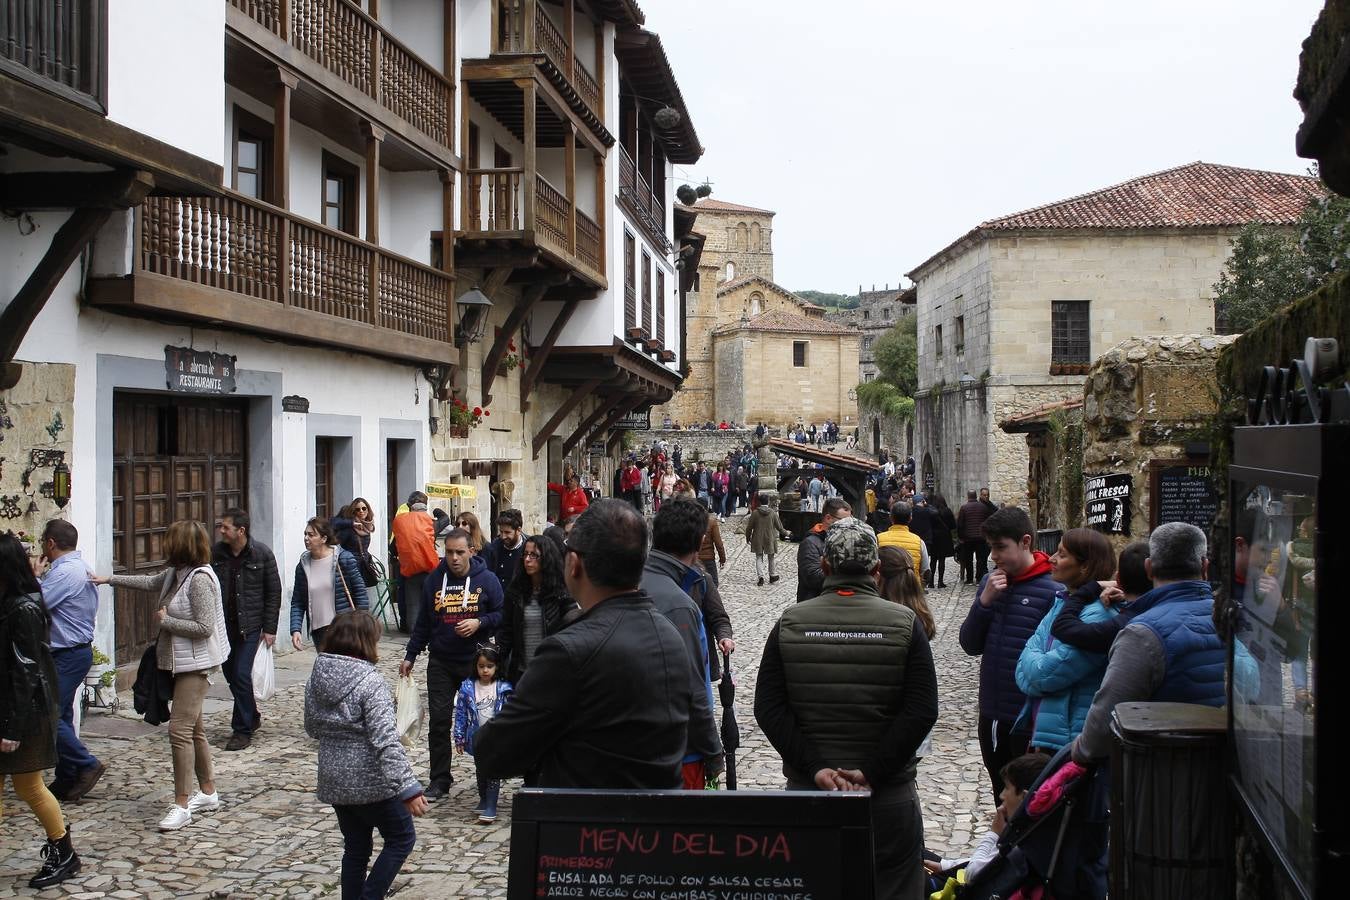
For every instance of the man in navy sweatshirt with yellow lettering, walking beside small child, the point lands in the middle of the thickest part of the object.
(462, 608)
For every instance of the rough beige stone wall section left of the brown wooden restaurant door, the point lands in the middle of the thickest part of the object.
(36, 420)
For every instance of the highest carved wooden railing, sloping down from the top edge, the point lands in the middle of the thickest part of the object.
(353, 47)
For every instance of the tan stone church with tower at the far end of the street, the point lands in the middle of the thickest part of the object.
(757, 351)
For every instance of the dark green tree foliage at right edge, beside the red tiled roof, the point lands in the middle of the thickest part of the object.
(1270, 268)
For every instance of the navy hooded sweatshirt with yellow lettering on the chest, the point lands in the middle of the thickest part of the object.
(445, 607)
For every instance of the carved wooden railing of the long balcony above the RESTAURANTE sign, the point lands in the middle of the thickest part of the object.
(238, 245)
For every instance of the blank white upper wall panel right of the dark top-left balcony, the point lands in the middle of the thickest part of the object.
(167, 61)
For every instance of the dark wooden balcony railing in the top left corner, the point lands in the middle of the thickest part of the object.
(59, 45)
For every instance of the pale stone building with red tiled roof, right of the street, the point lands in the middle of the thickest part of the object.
(1012, 314)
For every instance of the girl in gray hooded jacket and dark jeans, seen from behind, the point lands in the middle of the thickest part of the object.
(364, 771)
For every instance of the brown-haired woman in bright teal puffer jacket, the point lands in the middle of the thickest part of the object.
(1059, 679)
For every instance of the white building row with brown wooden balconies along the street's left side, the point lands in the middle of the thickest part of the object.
(240, 244)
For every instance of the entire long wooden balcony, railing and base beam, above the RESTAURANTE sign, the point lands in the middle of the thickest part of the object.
(232, 260)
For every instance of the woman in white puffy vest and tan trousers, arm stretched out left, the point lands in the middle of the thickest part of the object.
(192, 646)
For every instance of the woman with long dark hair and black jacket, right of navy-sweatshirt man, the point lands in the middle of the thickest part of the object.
(535, 605)
